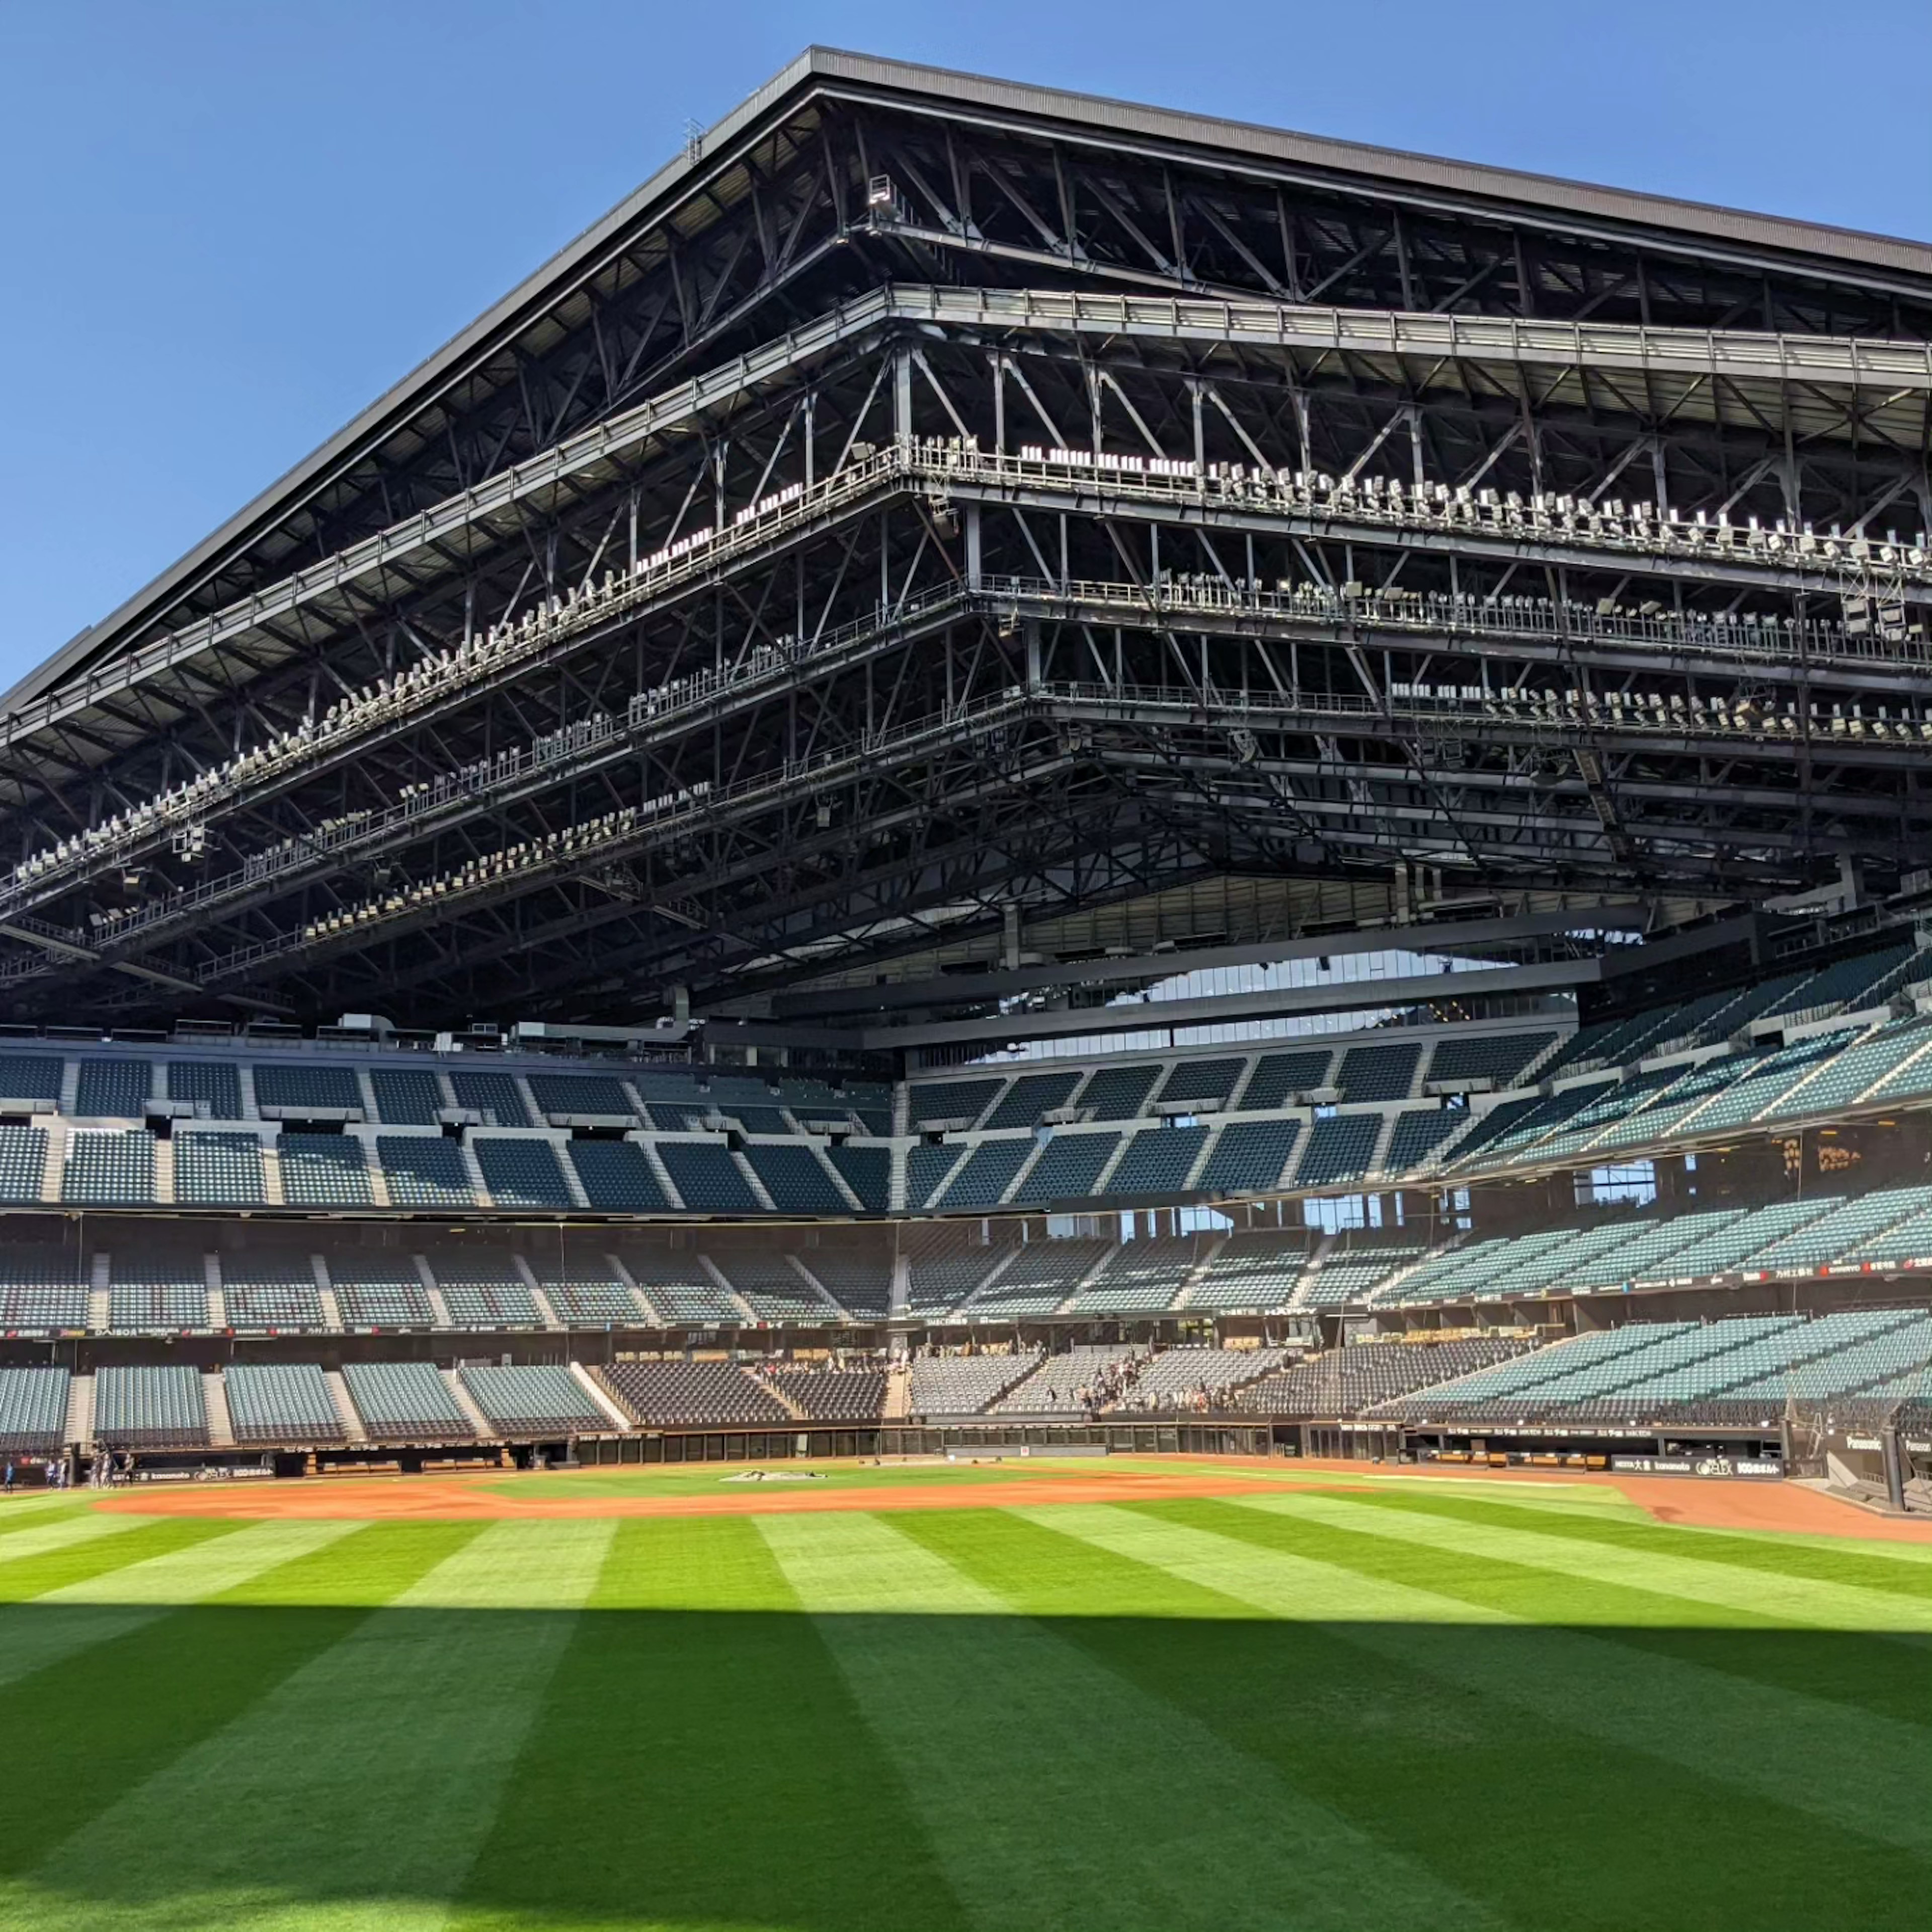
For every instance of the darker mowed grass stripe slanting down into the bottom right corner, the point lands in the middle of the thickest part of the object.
(1483, 1792)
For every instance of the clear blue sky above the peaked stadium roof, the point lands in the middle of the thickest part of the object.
(227, 227)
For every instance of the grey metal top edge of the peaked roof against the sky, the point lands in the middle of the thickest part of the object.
(1574, 206)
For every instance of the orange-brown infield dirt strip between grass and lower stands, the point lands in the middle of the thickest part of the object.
(494, 1498)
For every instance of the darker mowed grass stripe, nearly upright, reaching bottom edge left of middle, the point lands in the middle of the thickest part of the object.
(704, 1759)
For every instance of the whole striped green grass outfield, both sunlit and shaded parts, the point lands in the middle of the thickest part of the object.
(1402, 1705)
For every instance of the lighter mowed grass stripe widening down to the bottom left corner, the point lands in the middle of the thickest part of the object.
(387, 1753)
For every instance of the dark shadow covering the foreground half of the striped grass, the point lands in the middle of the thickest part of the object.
(720, 1769)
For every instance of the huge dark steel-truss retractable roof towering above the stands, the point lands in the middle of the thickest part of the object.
(934, 511)
